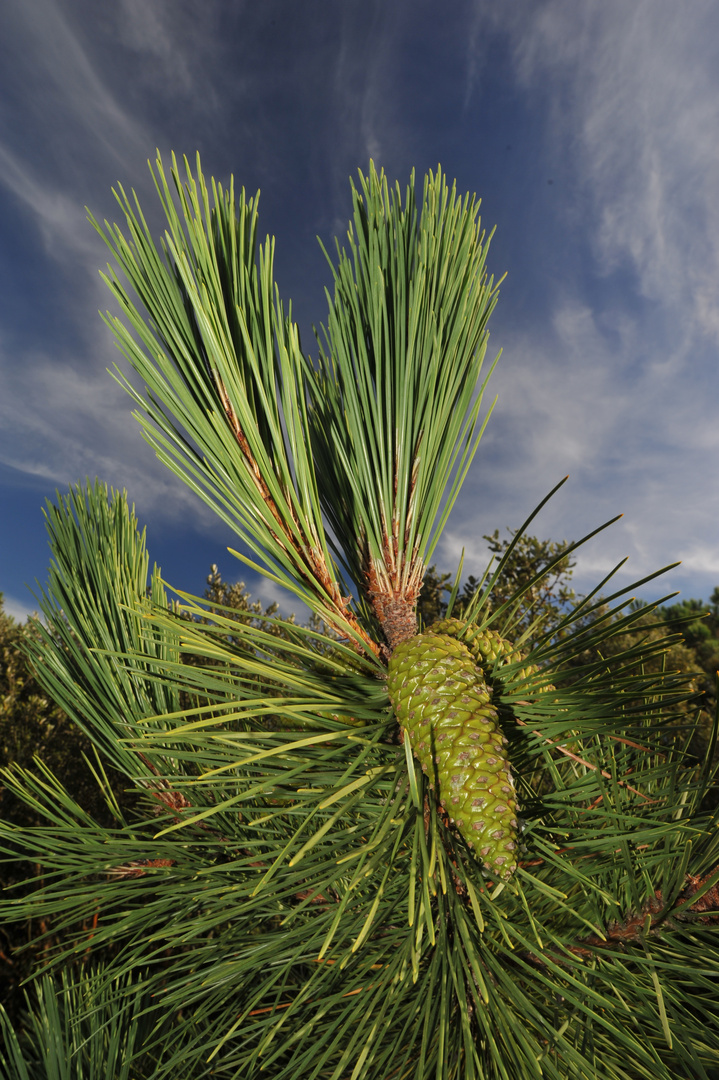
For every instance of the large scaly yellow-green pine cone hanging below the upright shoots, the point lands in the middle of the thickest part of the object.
(444, 707)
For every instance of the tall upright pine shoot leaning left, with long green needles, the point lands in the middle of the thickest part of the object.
(224, 402)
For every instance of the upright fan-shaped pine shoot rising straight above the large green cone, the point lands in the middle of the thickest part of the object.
(396, 403)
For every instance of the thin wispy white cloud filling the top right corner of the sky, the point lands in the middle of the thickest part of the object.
(633, 97)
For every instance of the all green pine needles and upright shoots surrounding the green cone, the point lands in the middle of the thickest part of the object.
(288, 894)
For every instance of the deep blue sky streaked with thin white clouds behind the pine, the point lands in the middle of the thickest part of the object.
(589, 128)
